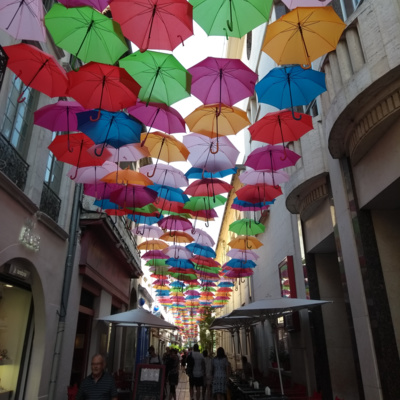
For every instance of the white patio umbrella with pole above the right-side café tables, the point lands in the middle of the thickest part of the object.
(269, 309)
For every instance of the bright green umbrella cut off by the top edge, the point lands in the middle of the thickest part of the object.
(232, 18)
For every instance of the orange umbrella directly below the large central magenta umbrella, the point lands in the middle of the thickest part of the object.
(217, 119)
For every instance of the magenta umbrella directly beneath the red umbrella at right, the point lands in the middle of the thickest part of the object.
(272, 157)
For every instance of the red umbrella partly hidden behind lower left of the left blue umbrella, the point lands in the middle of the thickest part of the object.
(73, 150)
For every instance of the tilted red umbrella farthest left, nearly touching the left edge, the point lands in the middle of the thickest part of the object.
(37, 70)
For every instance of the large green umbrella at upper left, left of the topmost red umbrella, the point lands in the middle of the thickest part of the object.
(86, 33)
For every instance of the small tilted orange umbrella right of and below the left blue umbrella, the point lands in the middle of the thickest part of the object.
(164, 147)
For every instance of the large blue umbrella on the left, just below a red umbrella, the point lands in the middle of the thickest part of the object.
(114, 128)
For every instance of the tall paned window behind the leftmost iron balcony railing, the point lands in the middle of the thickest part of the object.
(18, 117)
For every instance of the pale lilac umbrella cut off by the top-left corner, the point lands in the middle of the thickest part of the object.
(23, 19)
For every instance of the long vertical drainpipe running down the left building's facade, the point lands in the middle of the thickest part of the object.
(69, 265)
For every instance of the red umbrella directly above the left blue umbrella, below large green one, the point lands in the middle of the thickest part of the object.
(103, 86)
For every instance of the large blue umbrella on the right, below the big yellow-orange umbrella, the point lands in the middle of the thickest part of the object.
(290, 86)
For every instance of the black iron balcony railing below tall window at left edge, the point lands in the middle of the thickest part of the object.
(12, 164)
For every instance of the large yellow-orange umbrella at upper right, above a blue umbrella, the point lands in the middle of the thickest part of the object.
(303, 35)
